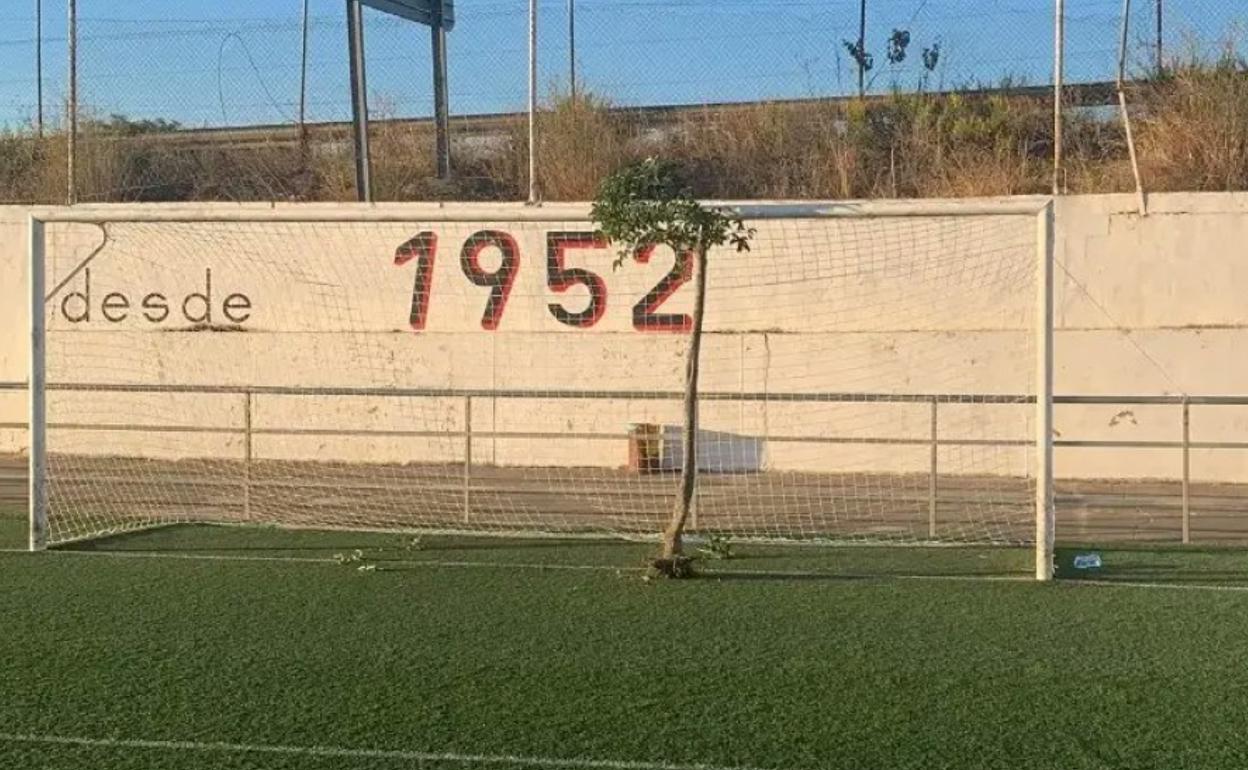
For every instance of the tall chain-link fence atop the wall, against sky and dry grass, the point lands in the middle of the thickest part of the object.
(218, 100)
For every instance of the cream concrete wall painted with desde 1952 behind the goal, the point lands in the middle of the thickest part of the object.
(1146, 306)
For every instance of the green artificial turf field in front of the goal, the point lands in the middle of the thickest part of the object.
(244, 648)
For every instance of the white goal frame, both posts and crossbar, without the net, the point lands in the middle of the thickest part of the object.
(1040, 210)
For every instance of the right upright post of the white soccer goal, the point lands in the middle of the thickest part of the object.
(1045, 509)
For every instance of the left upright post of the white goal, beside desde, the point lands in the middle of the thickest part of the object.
(37, 482)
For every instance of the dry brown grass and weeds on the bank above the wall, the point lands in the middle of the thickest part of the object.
(1192, 132)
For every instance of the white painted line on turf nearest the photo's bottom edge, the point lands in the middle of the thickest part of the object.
(344, 753)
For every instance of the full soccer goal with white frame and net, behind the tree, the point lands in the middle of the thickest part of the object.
(872, 374)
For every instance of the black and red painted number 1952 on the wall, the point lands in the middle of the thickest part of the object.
(424, 250)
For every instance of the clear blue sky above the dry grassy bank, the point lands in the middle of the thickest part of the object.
(209, 63)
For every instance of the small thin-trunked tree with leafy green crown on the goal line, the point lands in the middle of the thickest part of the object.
(648, 204)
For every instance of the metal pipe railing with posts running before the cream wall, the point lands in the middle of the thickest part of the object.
(934, 440)
